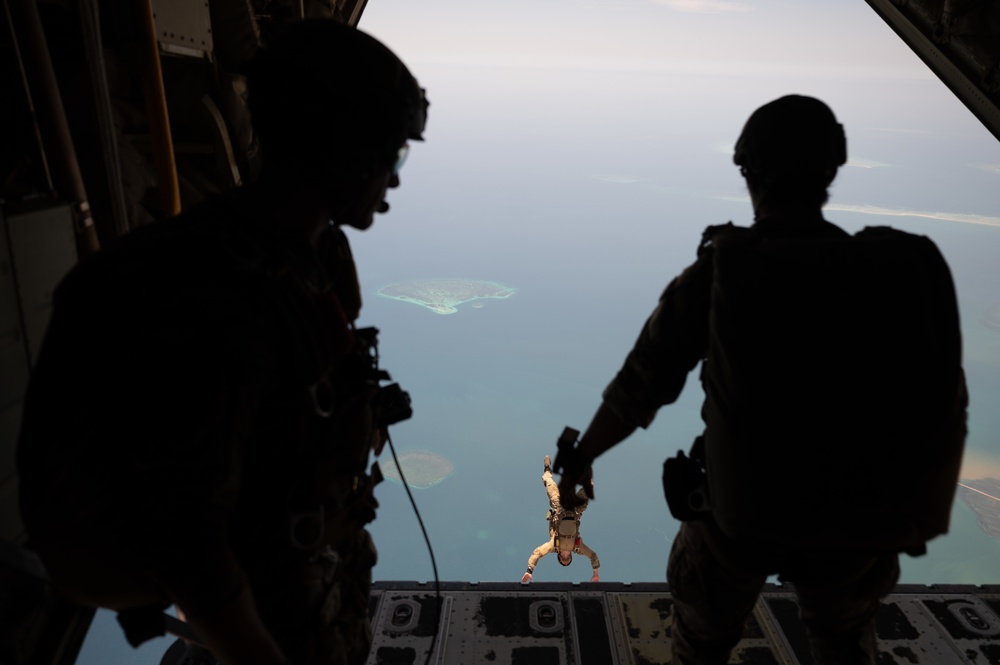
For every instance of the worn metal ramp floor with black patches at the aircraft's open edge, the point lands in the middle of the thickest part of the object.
(629, 624)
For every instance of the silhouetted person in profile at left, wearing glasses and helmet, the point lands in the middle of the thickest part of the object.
(198, 427)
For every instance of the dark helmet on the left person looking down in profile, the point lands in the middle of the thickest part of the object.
(324, 93)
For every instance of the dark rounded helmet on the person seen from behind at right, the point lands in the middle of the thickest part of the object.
(793, 136)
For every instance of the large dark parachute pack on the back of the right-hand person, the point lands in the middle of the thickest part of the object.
(834, 394)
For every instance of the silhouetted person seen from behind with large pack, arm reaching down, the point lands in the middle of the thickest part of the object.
(835, 420)
